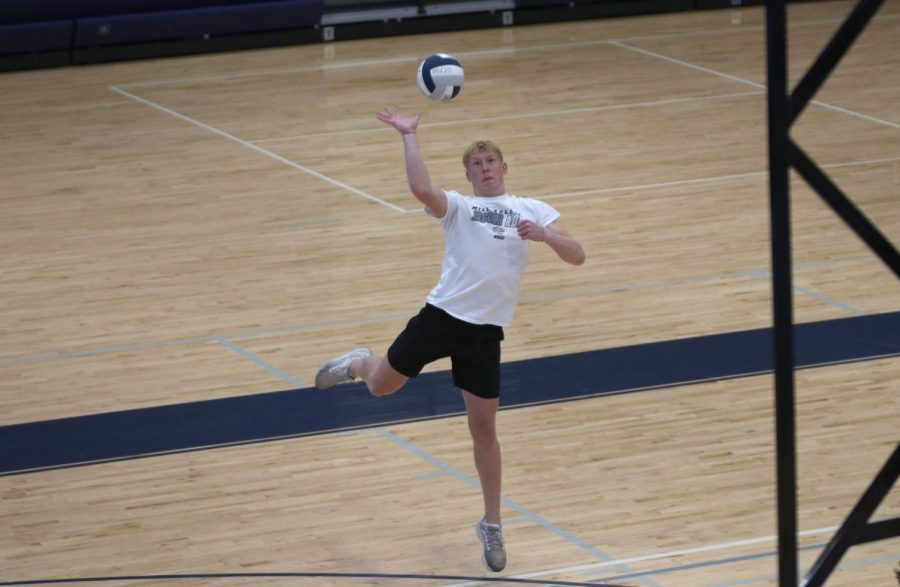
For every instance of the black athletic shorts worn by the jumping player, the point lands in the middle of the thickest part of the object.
(474, 350)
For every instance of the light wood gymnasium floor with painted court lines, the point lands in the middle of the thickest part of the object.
(206, 227)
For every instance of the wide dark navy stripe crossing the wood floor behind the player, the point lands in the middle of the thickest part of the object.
(91, 439)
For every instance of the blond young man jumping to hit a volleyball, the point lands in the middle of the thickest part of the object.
(487, 242)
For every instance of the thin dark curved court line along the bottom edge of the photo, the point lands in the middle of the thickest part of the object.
(303, 575)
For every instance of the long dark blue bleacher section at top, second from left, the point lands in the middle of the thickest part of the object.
(196, 22)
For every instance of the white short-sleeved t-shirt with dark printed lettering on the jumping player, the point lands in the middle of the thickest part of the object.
(485, 257)
